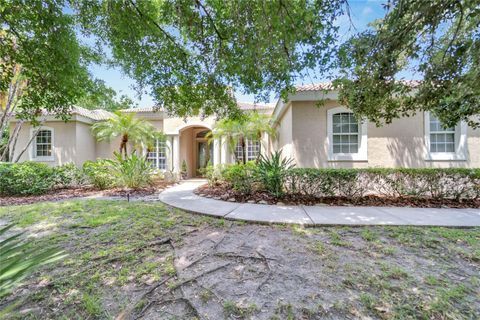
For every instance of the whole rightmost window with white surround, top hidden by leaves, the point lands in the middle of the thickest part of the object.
(444, 143)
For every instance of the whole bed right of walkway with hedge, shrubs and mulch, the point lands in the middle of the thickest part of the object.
(431, 187)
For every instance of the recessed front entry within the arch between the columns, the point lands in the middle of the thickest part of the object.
(195, 150)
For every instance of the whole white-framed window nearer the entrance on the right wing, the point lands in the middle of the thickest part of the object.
(347, 137)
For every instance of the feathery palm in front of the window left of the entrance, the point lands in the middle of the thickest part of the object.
(125, 125)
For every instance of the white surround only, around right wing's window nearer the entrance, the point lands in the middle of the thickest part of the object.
(361, 155)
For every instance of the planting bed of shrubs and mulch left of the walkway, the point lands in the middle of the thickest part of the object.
(29, 182)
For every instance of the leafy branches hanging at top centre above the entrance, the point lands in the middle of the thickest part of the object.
(193, 53)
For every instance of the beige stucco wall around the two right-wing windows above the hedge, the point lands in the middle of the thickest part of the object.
(399, 144)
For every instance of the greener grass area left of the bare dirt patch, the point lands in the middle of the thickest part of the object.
(109, 249)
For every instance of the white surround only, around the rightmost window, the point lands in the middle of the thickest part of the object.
(460, 153)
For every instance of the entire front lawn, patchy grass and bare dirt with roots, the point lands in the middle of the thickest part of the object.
(144, 260)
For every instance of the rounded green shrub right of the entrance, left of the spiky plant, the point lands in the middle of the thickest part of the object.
(240, 177)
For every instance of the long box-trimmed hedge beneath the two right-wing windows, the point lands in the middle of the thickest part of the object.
(450, 183)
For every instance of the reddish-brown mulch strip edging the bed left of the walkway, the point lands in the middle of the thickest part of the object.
(87, 191)
